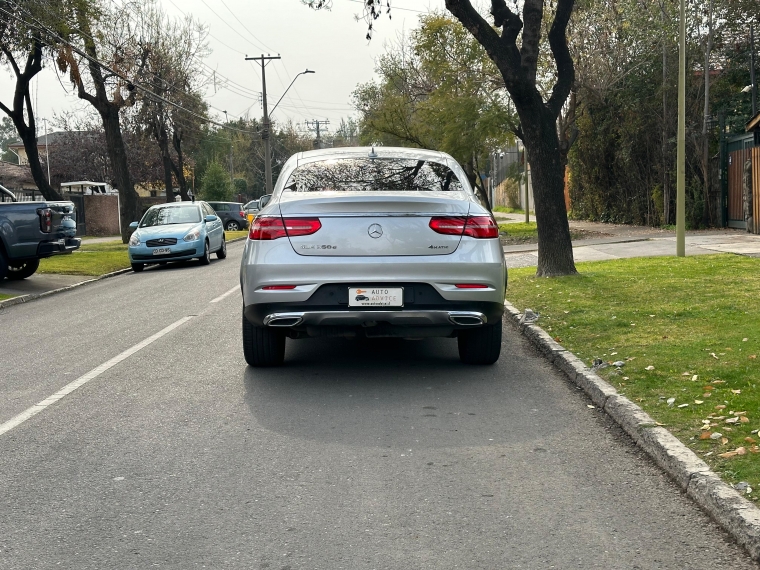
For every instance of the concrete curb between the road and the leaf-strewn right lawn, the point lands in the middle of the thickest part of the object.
(738, 516)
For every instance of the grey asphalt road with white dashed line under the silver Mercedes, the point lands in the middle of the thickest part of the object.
(354, 455)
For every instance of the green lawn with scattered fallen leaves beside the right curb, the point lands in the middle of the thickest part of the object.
(688, 331)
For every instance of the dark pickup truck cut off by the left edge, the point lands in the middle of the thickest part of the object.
(30, 231)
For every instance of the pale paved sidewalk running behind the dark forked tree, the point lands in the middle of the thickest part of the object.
(634, 241)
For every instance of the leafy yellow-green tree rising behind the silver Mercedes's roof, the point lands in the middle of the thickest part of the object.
(438, 89)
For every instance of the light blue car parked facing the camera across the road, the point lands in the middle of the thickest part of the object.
(176, 231)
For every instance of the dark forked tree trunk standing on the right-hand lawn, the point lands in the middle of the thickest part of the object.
(513, 41)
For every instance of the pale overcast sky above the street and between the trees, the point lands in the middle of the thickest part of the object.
(332, 43)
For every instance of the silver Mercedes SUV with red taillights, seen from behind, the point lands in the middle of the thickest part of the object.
(385, 242)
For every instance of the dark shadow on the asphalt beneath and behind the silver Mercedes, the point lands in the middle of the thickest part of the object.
(390, 392)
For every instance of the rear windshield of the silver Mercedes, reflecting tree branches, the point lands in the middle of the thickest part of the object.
(373, 175)
